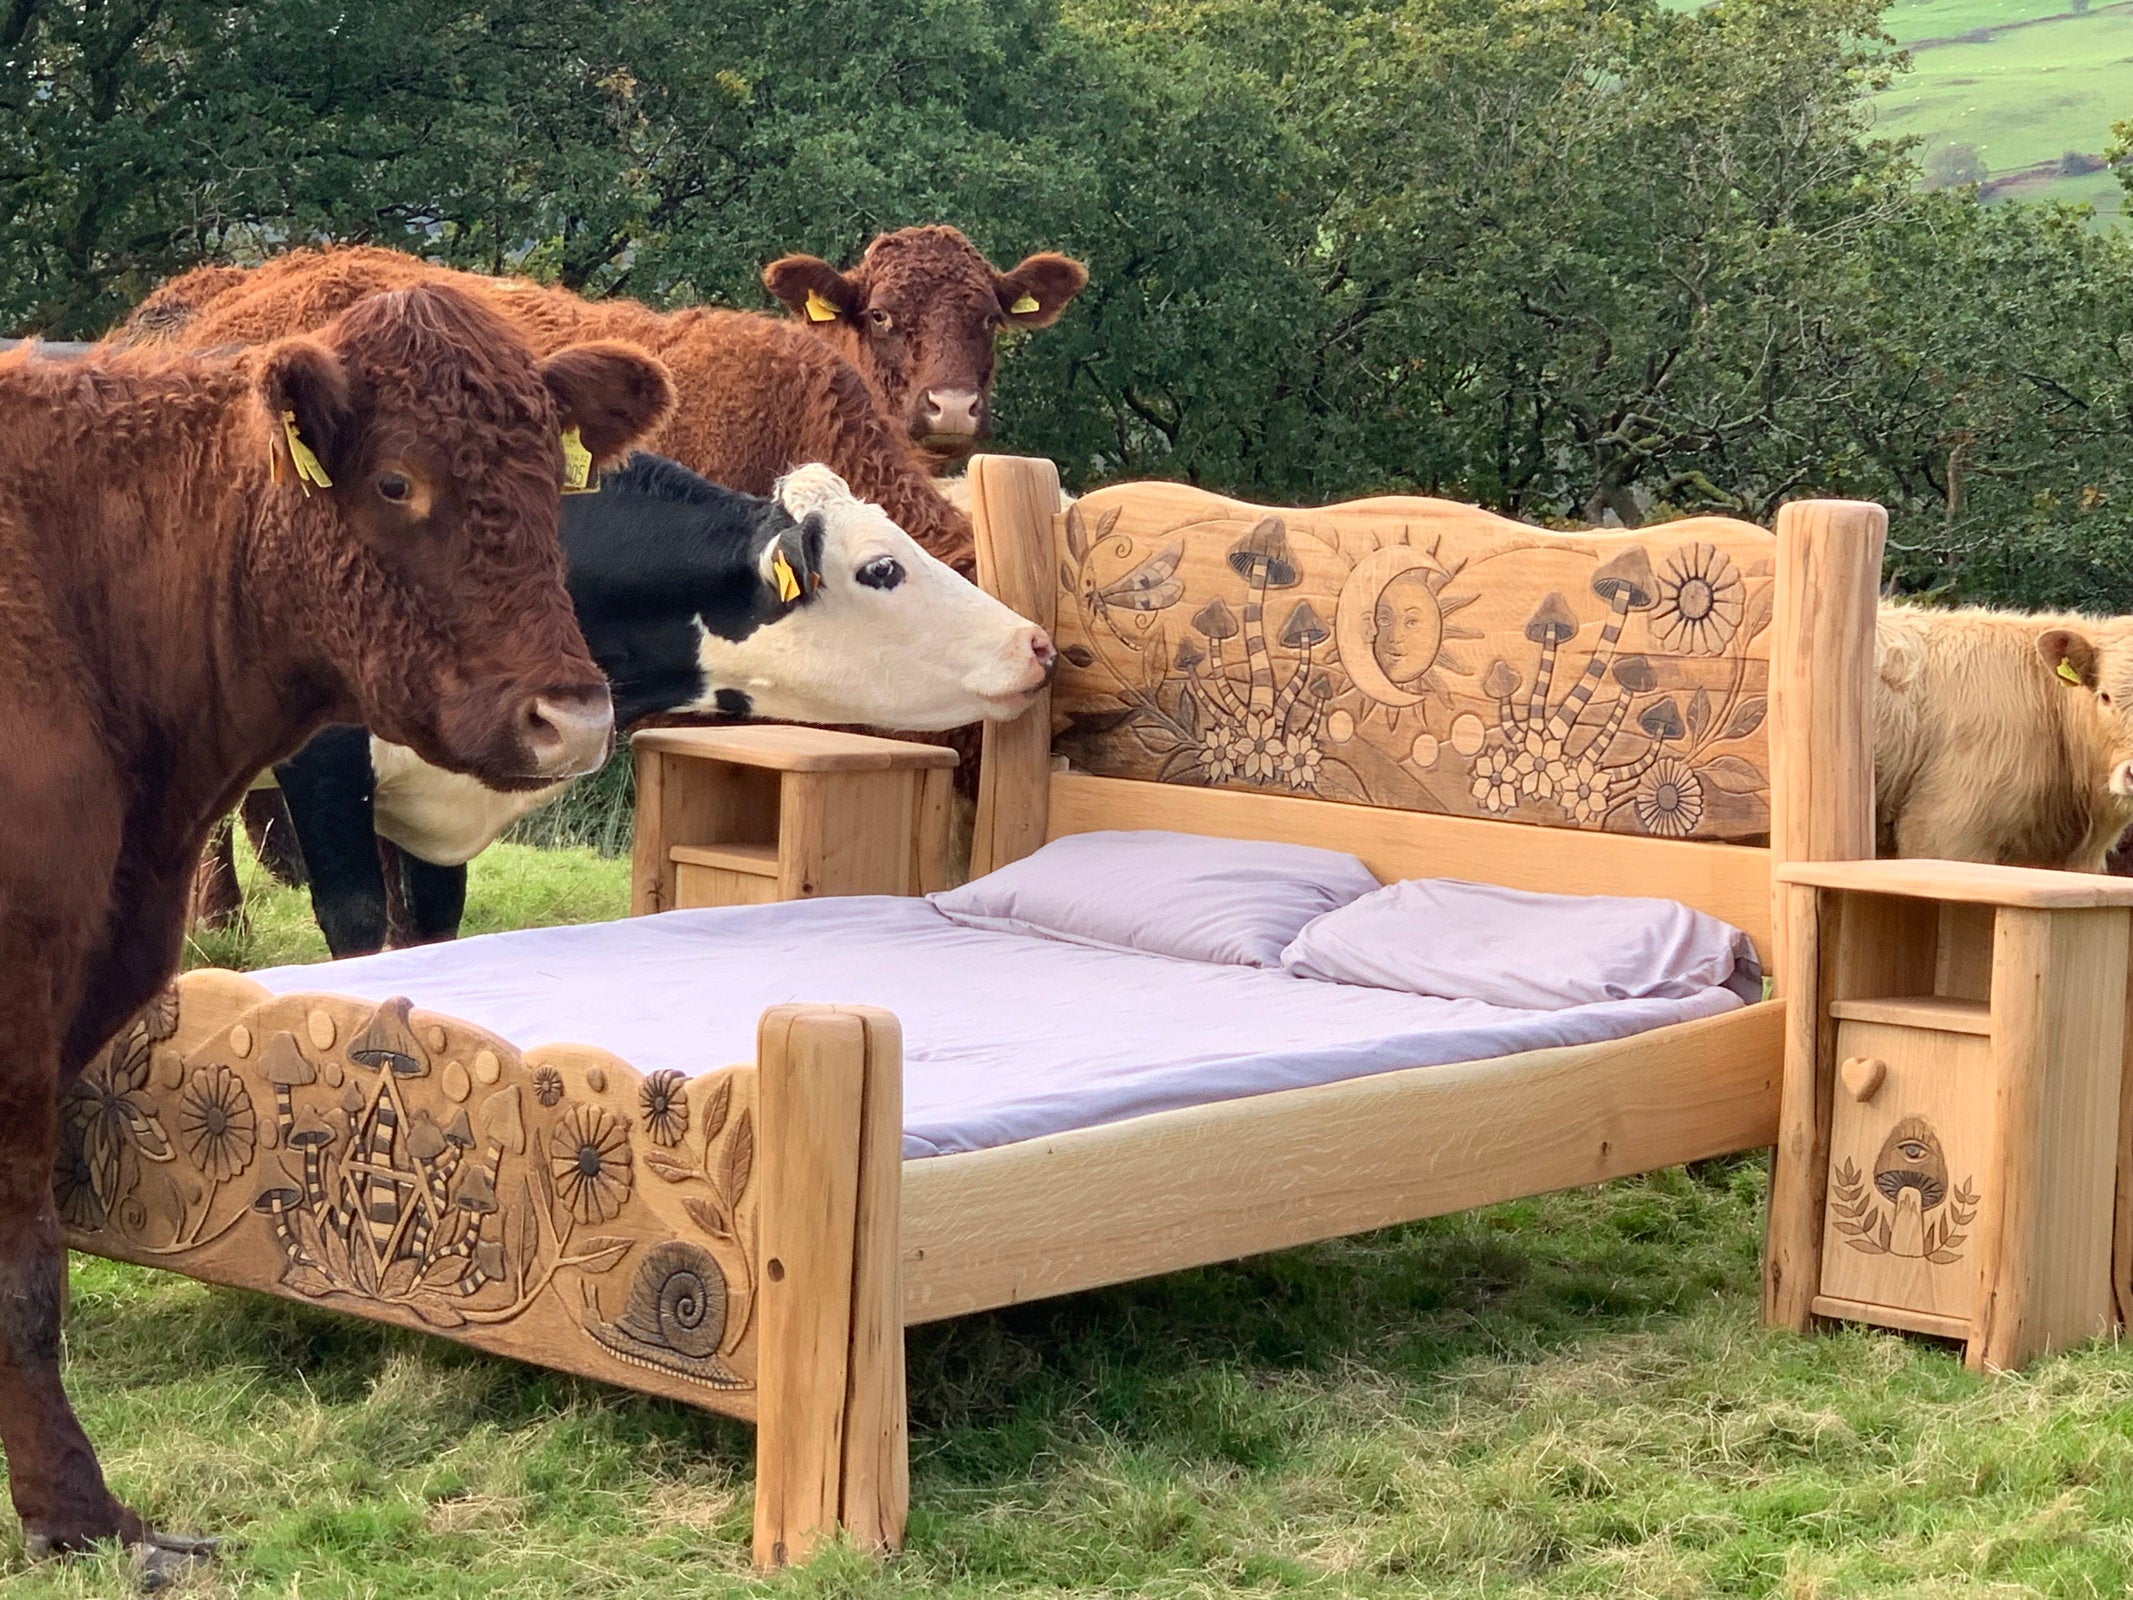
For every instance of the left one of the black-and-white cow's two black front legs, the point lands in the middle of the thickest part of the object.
(327, 788)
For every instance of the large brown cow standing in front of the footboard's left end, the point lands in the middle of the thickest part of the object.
(178, 609)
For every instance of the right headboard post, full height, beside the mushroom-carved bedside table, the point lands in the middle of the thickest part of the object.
(1823, 667)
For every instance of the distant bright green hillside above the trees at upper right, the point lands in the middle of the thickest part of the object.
(2023, 82)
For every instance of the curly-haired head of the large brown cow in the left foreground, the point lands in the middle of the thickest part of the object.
(419, 451)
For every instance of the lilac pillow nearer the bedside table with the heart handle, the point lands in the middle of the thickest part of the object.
(1535, 953)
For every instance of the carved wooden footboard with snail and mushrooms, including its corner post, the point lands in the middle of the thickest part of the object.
(726, 1241)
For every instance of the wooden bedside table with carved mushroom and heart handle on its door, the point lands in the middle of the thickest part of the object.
(1951, 1127)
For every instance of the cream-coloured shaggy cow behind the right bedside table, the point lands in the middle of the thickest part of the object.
(2004, 737)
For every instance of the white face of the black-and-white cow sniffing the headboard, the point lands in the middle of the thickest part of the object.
(891, 639)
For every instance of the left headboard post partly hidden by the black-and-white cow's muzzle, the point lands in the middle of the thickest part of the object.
(1014, 502)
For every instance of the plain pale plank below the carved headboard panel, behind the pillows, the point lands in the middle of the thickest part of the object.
(1731, 882)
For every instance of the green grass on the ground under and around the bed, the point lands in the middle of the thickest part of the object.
(1554, 1398)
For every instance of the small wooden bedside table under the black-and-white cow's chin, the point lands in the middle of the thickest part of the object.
(756, 814)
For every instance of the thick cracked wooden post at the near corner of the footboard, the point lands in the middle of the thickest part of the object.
(831, 1447)
